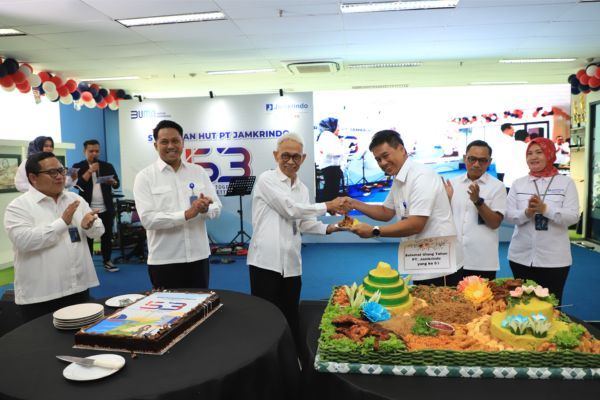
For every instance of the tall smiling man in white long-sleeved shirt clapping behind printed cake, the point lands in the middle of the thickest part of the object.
(174, 199)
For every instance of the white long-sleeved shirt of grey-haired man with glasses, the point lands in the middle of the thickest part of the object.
(280, 212)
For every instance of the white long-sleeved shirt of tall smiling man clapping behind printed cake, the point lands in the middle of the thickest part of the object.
(161, 197)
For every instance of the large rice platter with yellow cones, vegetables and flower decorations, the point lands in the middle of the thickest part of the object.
(489, 327)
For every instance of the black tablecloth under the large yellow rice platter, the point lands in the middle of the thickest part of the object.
(322, 385)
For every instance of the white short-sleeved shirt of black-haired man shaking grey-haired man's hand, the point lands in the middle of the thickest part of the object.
(418, 190)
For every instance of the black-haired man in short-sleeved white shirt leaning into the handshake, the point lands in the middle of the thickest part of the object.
(417, 198)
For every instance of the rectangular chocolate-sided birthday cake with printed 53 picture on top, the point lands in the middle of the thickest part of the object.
(151, 325)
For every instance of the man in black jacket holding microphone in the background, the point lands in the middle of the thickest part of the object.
(96, 181)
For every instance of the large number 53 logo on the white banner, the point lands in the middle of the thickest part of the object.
(224, 164)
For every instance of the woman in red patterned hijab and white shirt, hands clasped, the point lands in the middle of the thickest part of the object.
(542, 205)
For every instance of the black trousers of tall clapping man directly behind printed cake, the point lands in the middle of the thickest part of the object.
(192, 275)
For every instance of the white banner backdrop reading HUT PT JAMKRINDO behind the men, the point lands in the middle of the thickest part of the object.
(229, 136)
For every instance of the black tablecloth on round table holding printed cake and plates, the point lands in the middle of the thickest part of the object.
(243, 351)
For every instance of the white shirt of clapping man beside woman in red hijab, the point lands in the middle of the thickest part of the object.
(479, 242)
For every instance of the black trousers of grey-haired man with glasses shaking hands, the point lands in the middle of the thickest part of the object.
(282, 292)
